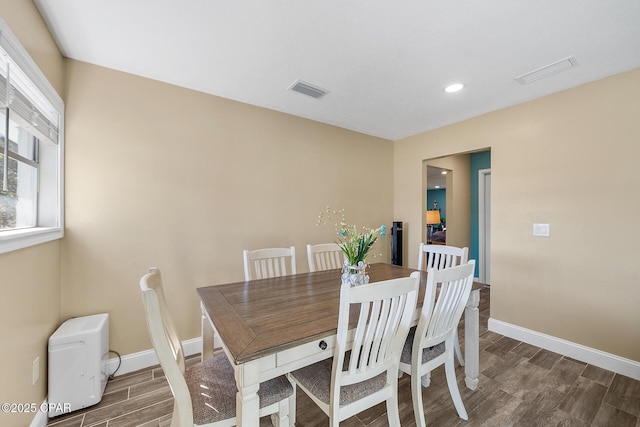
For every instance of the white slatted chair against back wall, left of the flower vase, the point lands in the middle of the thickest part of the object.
(266, 263)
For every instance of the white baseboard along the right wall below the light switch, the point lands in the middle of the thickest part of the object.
(611, 362)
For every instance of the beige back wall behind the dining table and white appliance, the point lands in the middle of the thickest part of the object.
(163, 176)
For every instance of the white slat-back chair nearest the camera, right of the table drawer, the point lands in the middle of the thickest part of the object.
(355, 380)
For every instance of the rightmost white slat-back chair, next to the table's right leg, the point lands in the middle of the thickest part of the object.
(431, 343)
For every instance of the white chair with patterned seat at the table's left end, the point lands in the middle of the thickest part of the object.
(204, 394)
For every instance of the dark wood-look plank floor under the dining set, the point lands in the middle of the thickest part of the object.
(520, 385)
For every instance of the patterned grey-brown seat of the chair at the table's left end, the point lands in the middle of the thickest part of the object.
(213, 390)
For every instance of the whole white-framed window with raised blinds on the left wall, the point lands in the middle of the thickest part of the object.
(31, 150)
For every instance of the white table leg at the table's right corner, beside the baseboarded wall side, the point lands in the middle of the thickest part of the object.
(472, 340)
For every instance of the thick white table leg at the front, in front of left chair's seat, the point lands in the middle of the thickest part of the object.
(247, 401)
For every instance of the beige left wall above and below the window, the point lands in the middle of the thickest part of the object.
(30, 282)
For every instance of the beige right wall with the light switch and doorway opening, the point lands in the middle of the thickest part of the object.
(570, 160)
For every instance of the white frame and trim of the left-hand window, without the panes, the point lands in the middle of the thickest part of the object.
(51, 197)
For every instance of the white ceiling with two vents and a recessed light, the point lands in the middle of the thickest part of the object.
(385, 63)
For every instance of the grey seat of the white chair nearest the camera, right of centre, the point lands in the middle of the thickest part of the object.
(316, 379)
